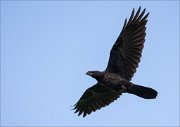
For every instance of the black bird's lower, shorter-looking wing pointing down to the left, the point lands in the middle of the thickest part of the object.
(95, 98)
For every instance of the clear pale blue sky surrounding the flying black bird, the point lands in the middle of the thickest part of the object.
(47, 46)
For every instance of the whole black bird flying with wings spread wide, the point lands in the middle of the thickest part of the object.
(124, 59)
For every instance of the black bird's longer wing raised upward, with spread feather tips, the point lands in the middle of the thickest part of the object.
(126, 52)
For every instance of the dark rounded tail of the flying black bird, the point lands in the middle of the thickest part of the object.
(141, 91)
